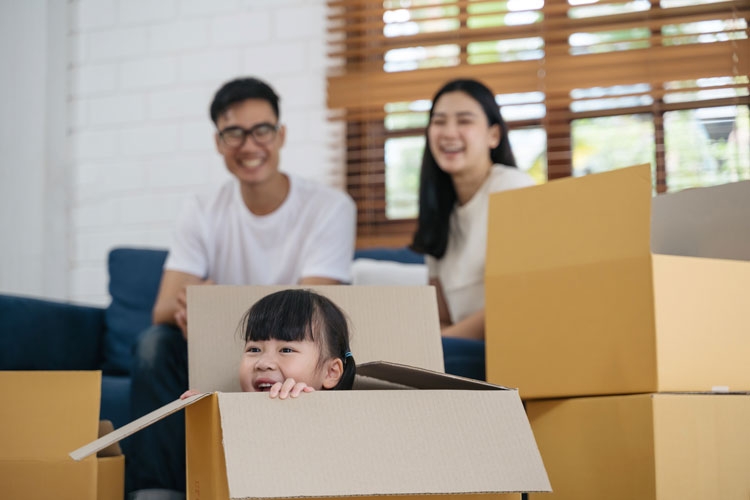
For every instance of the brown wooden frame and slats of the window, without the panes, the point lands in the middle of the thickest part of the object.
(360, 87)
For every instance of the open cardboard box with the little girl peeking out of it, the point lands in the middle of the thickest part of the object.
(462, 437)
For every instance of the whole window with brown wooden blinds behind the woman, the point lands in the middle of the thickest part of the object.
(585, 86)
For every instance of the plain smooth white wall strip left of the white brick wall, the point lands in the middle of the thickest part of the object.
(34, 172)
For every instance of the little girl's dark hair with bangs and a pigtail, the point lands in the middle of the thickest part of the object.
(297, 315)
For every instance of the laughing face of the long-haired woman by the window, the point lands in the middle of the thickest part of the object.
(459, 134)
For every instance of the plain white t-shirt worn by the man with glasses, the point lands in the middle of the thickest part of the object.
(311, 234)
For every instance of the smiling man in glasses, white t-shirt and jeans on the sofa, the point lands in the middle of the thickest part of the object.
(263, 227)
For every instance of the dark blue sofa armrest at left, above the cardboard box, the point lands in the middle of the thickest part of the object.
(38, 334)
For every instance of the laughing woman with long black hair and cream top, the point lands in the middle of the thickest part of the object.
(467, 157)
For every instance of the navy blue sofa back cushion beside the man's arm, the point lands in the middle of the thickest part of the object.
(134, 277)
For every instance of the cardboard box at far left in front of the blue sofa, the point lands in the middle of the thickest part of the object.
(43, 416)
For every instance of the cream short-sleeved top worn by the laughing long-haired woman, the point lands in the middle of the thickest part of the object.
(461, 269)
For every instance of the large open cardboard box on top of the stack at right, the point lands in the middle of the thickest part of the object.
(591, 292)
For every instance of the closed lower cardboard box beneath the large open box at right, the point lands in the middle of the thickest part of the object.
(647, 446)
